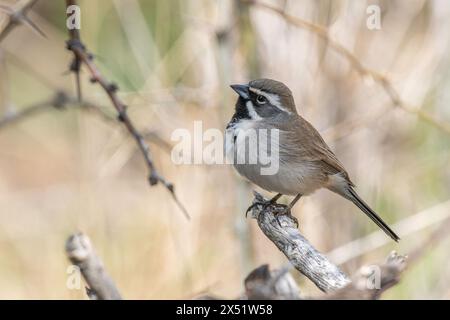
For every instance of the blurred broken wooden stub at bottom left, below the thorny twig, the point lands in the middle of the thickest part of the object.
(81, 253)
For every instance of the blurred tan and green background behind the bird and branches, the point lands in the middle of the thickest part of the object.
(70, 170)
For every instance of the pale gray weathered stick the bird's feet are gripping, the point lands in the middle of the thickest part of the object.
(282, 231)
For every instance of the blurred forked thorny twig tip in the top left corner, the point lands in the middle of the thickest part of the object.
(17, 15)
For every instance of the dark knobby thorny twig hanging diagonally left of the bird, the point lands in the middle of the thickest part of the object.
(83, 57)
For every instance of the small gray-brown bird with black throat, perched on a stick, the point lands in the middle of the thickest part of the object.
(306, 163)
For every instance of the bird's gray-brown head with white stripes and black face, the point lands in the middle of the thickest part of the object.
(263, 98)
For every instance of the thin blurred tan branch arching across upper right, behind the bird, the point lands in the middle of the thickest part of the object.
(381, 79)
